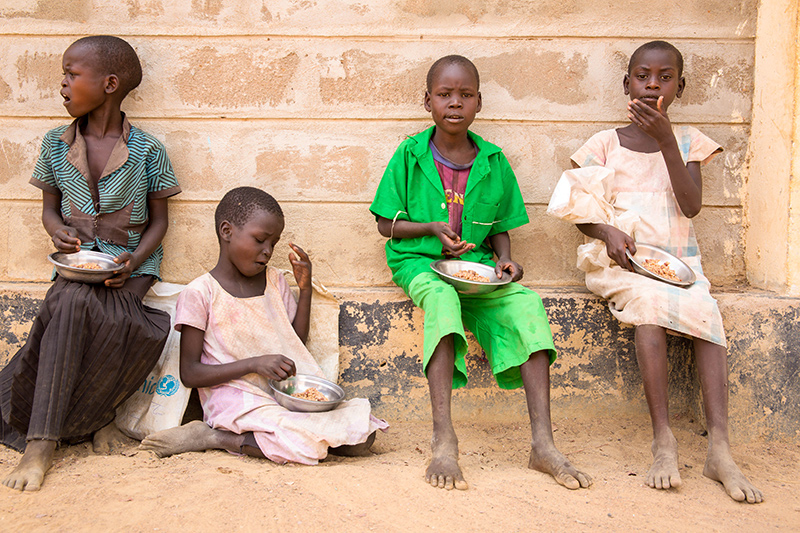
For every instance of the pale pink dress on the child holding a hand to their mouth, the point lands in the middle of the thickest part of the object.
(636, 196)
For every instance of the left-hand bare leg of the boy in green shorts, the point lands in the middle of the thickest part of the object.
(443, 472)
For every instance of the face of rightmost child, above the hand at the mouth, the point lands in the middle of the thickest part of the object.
(654, 74)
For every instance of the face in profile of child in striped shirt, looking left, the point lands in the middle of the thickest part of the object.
(83, 88)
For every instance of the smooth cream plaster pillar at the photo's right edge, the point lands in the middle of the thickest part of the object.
(773, 200)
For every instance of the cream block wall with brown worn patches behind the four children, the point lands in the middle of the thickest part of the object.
(310, 99)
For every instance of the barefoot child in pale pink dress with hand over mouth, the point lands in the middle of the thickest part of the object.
(642, 183)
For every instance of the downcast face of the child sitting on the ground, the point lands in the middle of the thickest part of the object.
(250, 246)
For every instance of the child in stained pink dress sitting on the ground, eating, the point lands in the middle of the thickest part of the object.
(240, 326)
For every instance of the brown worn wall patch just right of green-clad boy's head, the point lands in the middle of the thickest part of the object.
(552, 76)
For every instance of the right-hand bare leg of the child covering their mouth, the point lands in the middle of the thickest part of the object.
(712, 365)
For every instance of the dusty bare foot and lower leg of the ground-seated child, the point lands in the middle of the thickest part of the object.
(196, 436)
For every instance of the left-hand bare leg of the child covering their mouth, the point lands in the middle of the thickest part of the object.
(651, 353)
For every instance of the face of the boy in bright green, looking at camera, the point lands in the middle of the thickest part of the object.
(453, 99)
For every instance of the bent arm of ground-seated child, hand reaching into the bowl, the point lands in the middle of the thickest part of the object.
(196, 374)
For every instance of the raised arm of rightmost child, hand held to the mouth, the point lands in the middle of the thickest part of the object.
(687, 183)
